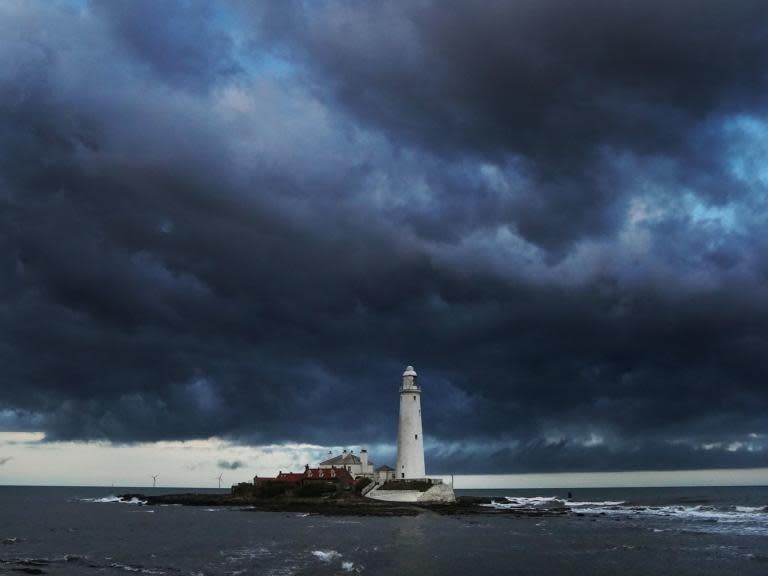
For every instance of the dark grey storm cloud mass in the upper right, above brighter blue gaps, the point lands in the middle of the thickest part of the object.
(552, 82)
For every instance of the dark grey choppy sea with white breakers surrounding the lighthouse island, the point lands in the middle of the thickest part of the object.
(621, 531)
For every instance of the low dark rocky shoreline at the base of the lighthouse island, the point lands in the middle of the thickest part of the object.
(346, 505)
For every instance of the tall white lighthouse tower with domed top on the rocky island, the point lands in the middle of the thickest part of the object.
(410, 441)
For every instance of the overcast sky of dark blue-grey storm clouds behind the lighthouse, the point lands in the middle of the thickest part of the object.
(236, 225)
